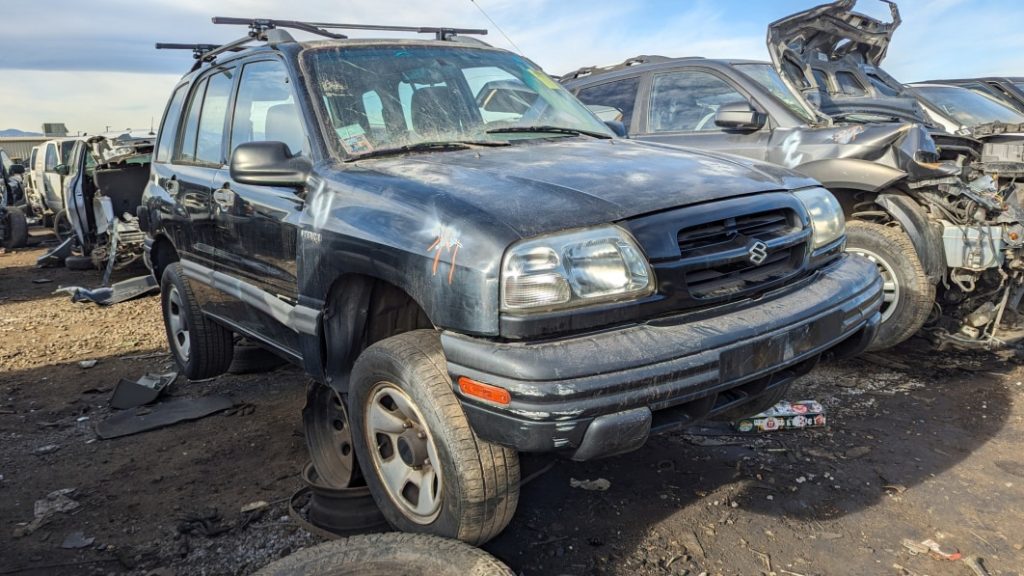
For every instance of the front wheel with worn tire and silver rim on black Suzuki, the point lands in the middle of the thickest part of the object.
(424, 465)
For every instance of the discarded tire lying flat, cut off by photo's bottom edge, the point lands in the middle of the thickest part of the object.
(395, 554)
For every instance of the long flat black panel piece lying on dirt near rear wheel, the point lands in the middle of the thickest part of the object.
(164, 415)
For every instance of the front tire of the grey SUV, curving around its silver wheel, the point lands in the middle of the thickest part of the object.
(908, 295)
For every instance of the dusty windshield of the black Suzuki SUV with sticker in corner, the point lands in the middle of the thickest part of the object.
(401, 99)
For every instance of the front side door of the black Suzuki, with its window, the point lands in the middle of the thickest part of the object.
(258, 227)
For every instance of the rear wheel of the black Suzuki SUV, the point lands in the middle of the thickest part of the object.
(202, 348)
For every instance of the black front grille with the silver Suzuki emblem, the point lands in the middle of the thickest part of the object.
(716, 257)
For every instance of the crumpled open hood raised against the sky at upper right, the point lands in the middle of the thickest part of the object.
(832, 38)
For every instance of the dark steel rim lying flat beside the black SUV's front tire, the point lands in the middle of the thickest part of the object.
(339, 512)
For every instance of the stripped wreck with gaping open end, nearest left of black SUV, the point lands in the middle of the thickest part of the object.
(107, 176)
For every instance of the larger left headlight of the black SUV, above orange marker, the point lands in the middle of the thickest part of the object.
(575, 269)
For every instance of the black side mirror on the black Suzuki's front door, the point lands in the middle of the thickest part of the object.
(270, 163)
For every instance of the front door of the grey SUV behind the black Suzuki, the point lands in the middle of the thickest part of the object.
(681, 111)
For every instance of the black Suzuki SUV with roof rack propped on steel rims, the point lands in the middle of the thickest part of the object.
(472, 265)
